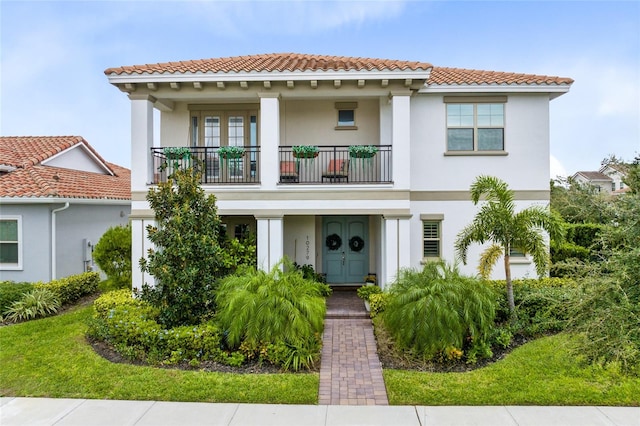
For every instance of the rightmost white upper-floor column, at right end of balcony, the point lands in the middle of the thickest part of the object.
(401, 138)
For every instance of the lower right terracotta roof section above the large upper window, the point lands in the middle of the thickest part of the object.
(460, 76)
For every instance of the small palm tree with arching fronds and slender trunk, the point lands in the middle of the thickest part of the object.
(498, 223)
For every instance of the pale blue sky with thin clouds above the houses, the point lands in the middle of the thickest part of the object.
(53, 55)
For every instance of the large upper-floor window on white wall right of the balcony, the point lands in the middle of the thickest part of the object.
(475, 126)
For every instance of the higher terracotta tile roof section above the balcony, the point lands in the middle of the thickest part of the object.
(281, 62)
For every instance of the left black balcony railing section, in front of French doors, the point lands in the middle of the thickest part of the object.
(218, 166)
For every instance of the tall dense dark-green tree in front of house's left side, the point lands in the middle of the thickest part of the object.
(187, 259)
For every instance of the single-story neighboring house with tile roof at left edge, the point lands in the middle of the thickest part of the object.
(57, 198)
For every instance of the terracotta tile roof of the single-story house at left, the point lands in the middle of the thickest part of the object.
(32, 179)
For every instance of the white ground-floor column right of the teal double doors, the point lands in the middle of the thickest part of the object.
(397, 253)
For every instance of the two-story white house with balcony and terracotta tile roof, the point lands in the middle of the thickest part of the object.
(435, 129)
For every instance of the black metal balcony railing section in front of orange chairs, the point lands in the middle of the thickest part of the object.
(335, 164)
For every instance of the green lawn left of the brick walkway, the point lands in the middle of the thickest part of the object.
(50, 358)
